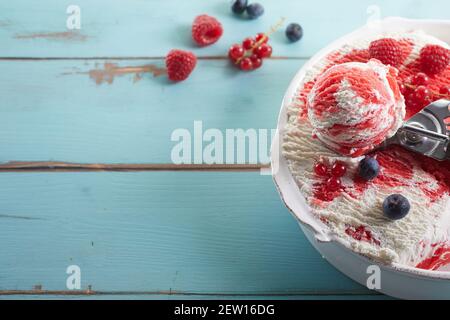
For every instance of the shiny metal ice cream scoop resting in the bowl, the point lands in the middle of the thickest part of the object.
(427, 132)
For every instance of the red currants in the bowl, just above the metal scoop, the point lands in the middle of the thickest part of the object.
(417, 93)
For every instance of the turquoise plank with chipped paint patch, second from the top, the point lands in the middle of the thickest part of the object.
(76, 116)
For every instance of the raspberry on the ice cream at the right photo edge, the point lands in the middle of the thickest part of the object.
(434, 59)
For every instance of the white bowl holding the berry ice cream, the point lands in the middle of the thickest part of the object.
(397, 280)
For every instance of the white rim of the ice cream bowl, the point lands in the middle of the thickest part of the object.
(282, 176)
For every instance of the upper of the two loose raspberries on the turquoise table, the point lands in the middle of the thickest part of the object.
(206, 30)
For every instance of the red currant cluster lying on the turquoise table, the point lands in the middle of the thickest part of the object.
(250, 54)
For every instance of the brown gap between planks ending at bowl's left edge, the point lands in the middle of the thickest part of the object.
(54, 166)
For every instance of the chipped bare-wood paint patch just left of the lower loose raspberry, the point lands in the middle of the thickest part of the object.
(109, 71)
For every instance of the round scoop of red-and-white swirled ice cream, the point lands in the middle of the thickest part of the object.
(354, 106)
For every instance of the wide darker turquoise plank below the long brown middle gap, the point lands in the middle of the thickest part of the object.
(187, 232)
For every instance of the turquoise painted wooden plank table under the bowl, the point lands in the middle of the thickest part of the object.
(87, 178)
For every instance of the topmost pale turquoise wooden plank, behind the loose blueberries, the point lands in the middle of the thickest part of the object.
(151, 28)
